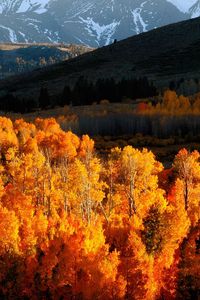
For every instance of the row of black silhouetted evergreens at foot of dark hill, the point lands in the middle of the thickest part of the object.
(83, 93)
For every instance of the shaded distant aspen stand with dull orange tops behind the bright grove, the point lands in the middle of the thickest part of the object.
(167, 116)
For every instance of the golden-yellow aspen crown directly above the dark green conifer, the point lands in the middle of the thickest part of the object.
(138, 174)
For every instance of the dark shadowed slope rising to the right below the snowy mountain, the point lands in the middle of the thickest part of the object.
(168, 55)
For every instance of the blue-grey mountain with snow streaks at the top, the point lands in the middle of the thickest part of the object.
(91, 22)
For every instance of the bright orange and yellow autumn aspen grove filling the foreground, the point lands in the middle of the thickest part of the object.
(74, 226)
